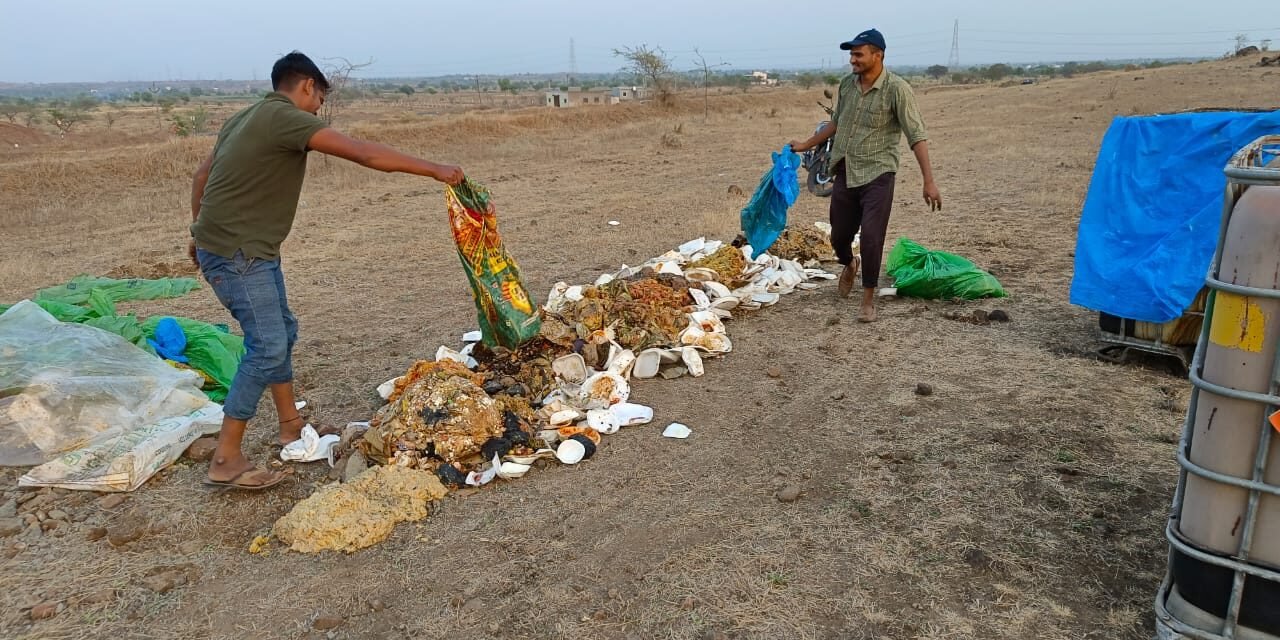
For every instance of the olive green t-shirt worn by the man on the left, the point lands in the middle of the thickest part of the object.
(252, 198)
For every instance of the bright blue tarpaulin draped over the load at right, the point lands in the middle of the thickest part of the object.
(1151, 218)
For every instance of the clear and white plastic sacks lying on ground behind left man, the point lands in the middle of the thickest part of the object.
(72, 388)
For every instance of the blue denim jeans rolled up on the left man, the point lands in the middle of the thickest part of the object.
(253, 290)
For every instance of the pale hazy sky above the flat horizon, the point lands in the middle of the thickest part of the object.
(143, 40)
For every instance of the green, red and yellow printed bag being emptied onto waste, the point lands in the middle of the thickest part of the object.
(508, 317)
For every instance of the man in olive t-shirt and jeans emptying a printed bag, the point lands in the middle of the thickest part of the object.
(244, 199)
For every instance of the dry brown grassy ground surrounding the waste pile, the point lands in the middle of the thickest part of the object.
(1025, 499)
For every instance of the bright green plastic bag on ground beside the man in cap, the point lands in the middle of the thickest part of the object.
(921, 273)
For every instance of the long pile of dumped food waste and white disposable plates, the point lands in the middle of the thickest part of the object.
(479, 414)
